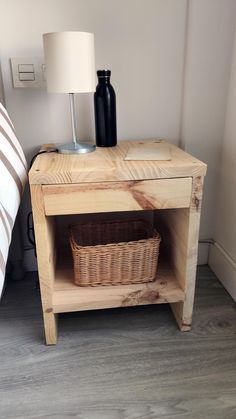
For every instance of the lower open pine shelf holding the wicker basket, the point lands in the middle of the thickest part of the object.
(69, 297)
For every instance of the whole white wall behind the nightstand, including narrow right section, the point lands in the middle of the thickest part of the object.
(161, 91)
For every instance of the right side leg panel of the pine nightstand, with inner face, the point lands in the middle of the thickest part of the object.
(182, 230)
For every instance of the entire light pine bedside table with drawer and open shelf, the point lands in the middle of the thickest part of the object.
(104, 182)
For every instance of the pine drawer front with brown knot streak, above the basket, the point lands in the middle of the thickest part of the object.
(87, 198)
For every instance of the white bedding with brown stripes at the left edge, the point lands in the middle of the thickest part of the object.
(13, 175)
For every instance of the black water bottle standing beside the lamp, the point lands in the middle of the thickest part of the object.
(105, 111)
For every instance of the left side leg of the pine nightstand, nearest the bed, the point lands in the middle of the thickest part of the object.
(45, 245)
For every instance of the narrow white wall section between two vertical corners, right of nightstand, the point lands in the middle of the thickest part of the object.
(210, 37)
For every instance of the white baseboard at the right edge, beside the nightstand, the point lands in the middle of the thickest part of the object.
(224, 267)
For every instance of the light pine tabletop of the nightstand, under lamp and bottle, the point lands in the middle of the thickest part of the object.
(109, 164)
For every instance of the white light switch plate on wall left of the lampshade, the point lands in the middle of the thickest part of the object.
(34, 66)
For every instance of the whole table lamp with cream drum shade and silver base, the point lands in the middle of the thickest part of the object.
(70, 68)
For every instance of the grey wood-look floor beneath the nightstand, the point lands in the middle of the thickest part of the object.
(119, 364)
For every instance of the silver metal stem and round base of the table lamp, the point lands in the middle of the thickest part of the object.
(74, 147)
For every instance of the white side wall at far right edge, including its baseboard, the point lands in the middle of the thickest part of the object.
(223, 253)
